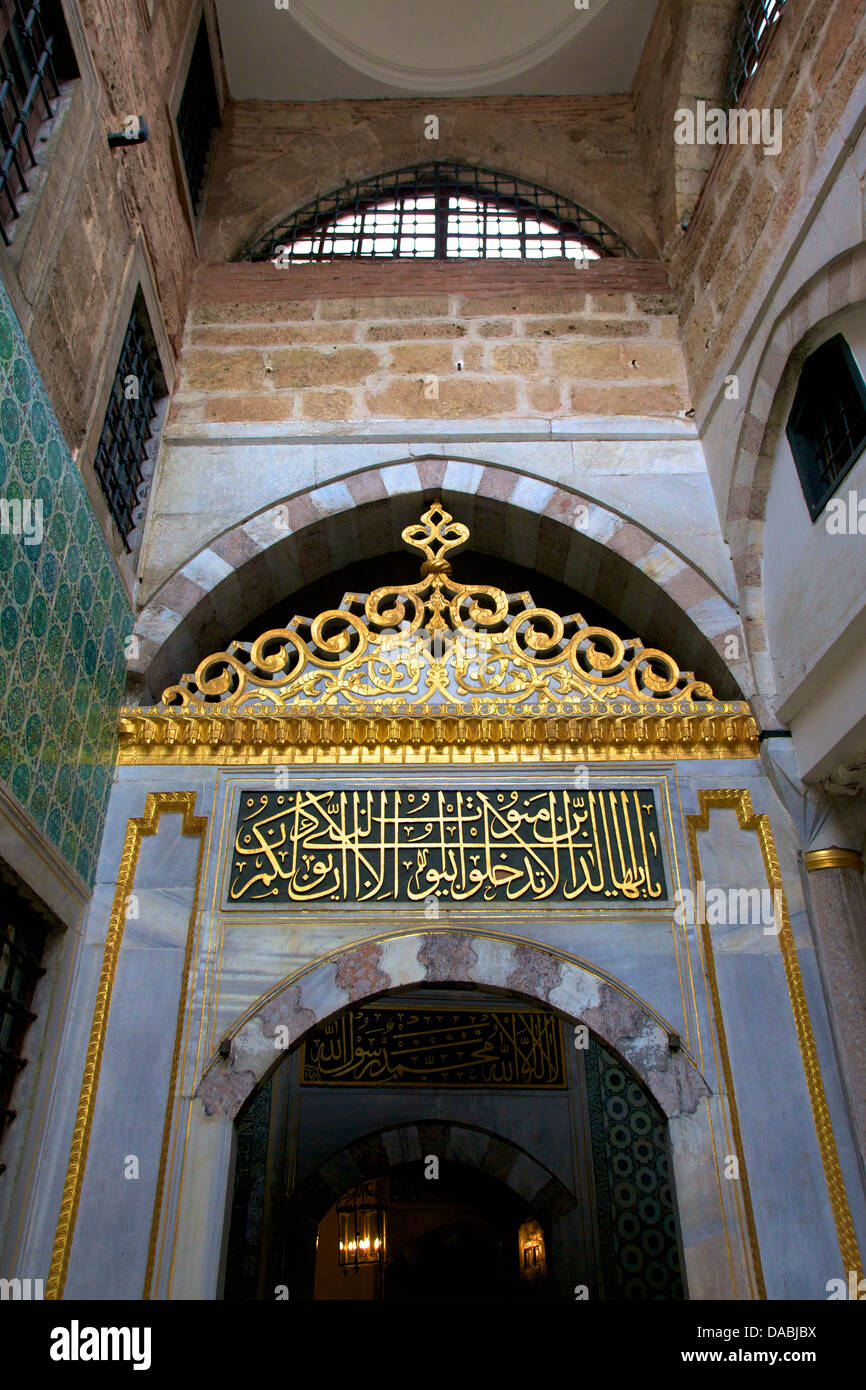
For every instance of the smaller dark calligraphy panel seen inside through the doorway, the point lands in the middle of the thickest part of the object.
(436, 1047)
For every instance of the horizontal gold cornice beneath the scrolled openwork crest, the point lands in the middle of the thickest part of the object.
(155, 737)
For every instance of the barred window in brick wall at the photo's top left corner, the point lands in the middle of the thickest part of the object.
(37, 65)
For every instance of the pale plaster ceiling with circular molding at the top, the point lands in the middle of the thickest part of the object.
(329, 49)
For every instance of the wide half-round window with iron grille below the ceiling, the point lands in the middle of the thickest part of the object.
(440, 212)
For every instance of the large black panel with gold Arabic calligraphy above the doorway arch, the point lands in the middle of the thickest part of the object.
(565, 846)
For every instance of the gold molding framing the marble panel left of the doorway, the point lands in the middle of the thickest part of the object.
(156, 806)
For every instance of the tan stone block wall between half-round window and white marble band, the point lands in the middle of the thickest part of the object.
(451, 343)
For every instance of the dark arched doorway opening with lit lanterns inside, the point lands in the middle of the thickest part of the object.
(464, 1131)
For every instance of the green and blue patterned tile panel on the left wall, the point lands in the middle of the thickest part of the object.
(65, 618)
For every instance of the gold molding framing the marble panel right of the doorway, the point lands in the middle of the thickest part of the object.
(760, 822)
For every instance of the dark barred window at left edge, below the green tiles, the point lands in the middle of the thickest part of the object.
(23, 938)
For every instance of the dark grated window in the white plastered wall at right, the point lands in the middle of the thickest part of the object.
(828, 423)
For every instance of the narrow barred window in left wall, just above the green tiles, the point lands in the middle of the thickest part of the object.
(127, 447)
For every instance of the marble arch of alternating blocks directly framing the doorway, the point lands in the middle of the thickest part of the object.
(446, 957)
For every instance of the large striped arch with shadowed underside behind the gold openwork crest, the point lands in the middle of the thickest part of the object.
(655, 594)
